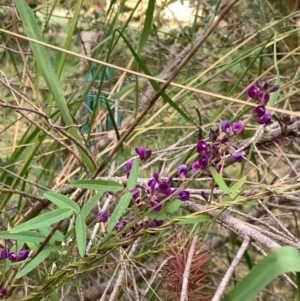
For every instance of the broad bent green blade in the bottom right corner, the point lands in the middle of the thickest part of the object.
(280, 261)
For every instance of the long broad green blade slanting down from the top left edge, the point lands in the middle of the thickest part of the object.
(42, 58)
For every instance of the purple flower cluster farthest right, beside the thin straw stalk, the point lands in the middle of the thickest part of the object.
(260, 92)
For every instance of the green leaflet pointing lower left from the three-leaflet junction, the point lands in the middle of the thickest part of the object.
(46, 219)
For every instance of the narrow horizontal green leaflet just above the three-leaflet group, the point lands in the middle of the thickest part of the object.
(98, 185)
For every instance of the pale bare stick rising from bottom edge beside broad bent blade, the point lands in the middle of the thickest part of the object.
(227, 276)
